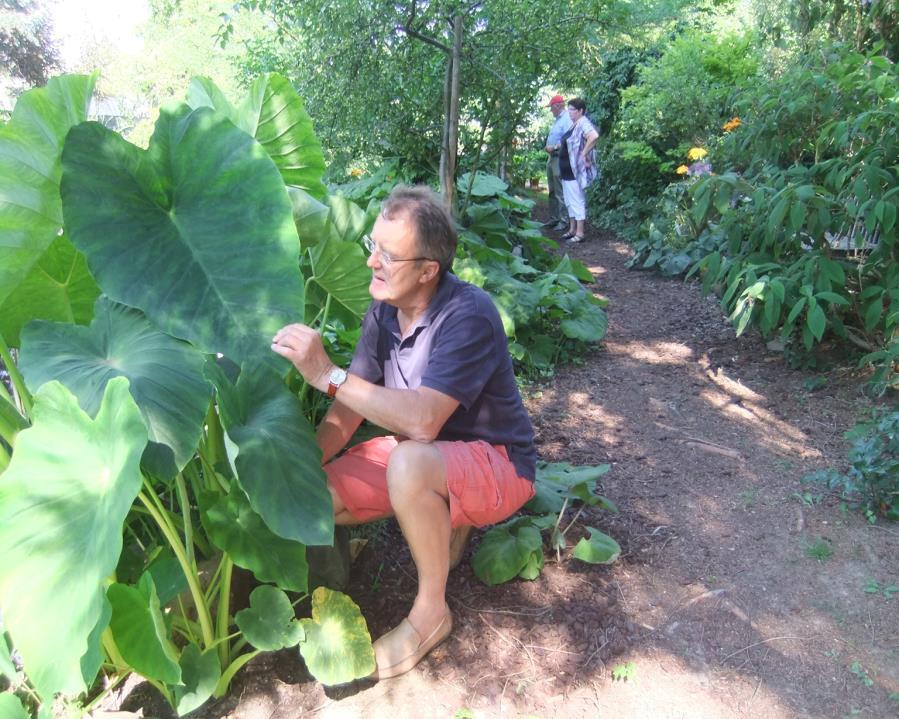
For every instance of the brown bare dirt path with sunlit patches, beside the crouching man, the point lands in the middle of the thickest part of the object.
(723, 600)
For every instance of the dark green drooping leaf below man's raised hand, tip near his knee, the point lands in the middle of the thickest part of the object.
(275, 455)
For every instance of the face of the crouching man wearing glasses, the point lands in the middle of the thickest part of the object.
(398, 280)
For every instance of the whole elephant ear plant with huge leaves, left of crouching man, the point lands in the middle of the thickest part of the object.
(152, 443)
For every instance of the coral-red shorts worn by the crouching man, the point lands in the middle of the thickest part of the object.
(483, 485)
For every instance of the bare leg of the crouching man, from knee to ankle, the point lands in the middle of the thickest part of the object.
(416, 480)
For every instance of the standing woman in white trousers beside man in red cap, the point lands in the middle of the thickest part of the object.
(577, 167)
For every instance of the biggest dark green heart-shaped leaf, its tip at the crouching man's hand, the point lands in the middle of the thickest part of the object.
(197, 231)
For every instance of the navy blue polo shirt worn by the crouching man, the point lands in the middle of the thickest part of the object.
(457, 347)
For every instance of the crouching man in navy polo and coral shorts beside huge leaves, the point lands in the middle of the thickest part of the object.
(433, 367)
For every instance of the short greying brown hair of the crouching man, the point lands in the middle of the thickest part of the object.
(435, 232)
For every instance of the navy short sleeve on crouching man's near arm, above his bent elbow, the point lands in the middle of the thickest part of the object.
(463, 358)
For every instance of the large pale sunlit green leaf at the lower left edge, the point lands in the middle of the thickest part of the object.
(60, 537)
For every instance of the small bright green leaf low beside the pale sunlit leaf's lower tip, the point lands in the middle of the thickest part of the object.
(140, 633)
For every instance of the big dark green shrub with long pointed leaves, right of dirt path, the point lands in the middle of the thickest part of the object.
(797, 231)
